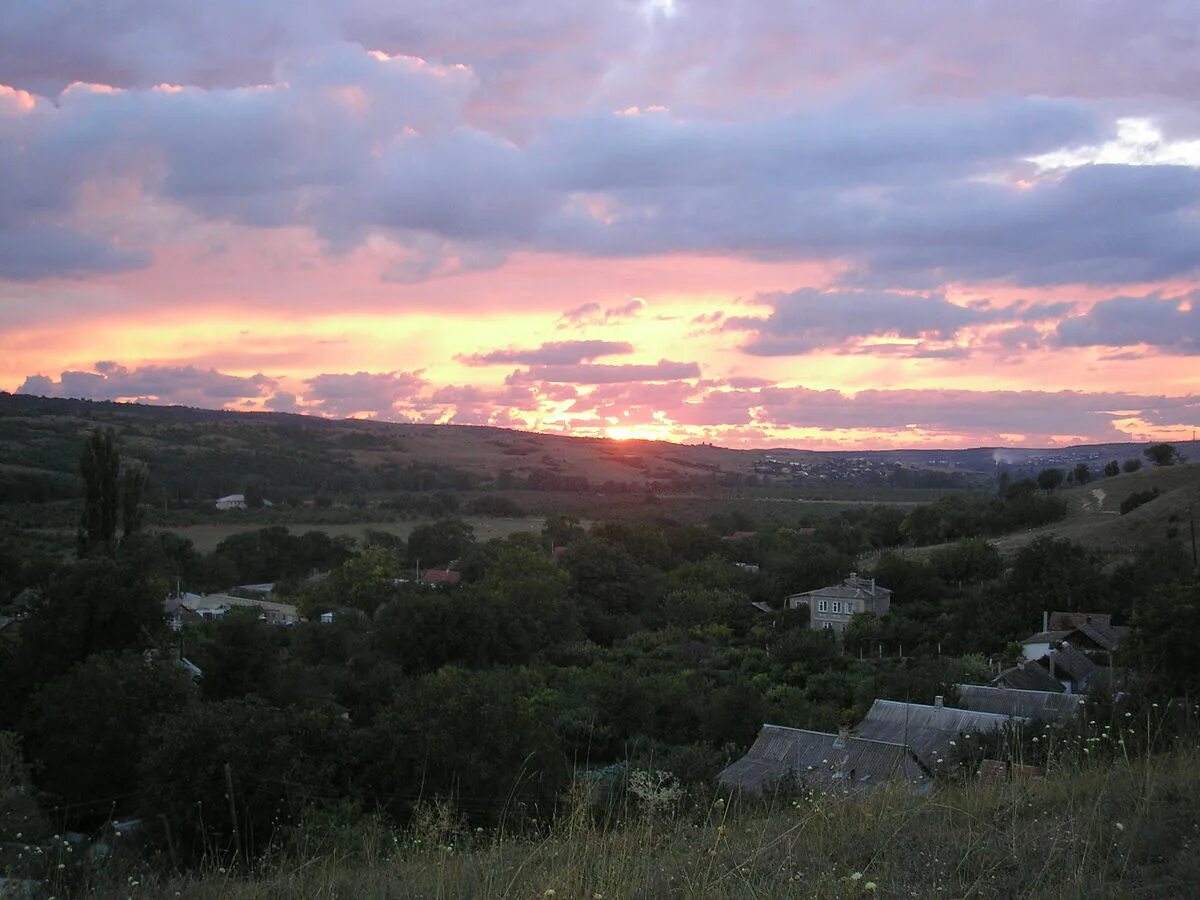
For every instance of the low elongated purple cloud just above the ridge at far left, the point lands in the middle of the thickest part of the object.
(184, 386)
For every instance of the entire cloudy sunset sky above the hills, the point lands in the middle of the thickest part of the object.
(757, 224)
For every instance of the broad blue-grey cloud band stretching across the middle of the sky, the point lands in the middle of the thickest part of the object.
(355, 145)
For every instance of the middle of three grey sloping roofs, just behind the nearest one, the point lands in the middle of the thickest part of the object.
(927, 730)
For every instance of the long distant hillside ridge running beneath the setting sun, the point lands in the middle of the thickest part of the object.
(197, 455)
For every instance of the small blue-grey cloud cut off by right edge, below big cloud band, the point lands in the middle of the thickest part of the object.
(1169, 325)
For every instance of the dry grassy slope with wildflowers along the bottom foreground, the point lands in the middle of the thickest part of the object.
(1126, 831)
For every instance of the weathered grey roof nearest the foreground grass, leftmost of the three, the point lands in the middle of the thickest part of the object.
(820, 760)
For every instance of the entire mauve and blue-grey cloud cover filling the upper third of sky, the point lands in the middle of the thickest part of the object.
(892, 140)
